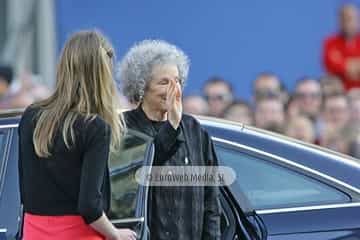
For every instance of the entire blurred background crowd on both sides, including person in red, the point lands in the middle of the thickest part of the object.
(322, 110)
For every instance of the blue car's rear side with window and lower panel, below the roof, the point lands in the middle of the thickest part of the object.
(291, 202)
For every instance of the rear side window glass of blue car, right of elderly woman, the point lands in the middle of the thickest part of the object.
(268, 185)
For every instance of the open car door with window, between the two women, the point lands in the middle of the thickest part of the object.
(128, 196)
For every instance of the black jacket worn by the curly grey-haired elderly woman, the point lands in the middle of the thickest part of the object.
(180, 212)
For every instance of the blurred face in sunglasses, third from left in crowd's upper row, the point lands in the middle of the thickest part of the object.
(308, 97)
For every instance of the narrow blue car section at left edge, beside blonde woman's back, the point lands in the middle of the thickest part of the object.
(10, 211)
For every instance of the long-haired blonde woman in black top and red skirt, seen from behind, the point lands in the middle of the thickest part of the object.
(64, 148)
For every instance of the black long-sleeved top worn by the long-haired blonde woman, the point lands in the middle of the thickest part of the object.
(71, 181)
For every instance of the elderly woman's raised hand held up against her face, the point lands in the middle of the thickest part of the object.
(174, 104)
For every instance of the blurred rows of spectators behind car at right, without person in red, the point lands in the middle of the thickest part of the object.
(318, 111)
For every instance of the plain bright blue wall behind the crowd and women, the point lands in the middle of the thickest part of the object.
(235, 39)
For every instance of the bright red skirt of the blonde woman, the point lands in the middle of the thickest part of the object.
(72, 227)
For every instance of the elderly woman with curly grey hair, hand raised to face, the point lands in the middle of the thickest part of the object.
(153, 74)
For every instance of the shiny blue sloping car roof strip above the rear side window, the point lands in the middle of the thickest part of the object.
(326, 161)
